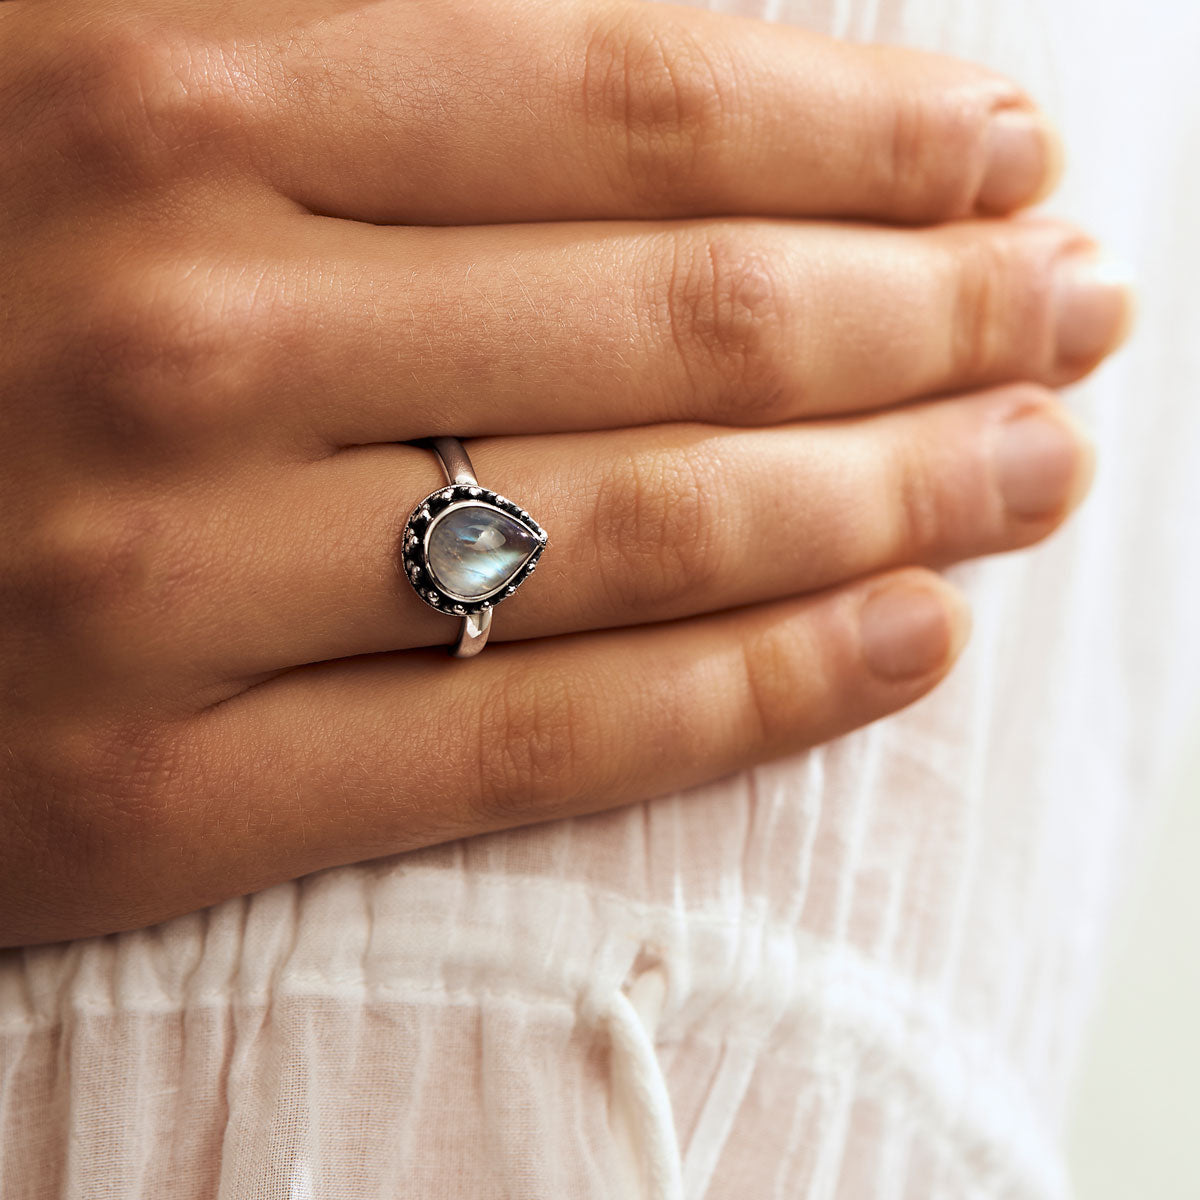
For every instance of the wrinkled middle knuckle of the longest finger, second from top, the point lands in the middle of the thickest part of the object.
(723, 310)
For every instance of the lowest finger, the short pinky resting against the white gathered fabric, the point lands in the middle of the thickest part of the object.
(350, 760)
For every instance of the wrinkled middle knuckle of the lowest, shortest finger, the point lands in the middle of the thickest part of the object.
(536, 742)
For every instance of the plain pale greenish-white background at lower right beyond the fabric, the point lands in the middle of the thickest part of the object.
(1136, 1133)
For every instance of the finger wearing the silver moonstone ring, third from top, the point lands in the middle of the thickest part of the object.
(645, 525)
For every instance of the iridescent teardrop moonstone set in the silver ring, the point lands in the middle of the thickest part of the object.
(475, 550)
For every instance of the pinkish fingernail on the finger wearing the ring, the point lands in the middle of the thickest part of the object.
(1037, 461)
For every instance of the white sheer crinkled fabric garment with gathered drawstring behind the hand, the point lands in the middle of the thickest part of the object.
(857, 974)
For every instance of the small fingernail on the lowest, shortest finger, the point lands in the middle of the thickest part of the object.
(907, 632)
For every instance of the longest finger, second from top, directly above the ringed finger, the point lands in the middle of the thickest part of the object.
(538, 329)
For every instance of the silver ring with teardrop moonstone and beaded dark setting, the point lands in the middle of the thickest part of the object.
(466, 548)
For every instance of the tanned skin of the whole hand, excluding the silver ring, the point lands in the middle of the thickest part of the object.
(740, 314)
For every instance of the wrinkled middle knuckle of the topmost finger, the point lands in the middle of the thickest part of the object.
(664, 98)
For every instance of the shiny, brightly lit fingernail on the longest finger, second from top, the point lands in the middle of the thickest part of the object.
(1094, 308)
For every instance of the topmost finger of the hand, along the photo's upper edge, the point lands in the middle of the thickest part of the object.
(433, 113)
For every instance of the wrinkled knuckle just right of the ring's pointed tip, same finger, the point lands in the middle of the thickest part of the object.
(658, 529)
